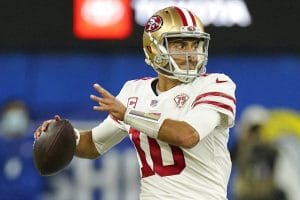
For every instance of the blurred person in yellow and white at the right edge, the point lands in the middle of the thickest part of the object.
(283, 130)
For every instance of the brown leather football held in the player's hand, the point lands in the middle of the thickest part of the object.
(55, 148)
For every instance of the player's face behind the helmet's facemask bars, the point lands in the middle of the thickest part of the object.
(183, 51)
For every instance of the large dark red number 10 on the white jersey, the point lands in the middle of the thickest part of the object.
(155, 153)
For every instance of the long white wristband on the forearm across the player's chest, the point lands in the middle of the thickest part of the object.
(148, 123)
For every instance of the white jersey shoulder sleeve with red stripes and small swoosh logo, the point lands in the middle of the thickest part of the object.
(219, 95)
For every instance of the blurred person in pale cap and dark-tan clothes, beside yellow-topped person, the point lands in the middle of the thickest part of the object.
(254, 161)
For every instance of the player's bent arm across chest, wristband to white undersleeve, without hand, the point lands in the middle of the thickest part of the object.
(176, 132)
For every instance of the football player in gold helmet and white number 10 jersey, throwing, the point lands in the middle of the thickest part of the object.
(178, 121)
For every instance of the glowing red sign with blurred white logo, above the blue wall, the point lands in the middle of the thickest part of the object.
(102, 19)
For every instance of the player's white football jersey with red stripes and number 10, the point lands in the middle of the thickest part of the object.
(171, 172)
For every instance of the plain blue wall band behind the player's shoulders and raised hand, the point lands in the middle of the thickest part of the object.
(61, 83)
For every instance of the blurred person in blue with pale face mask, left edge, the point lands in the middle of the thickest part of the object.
(18, 177)
